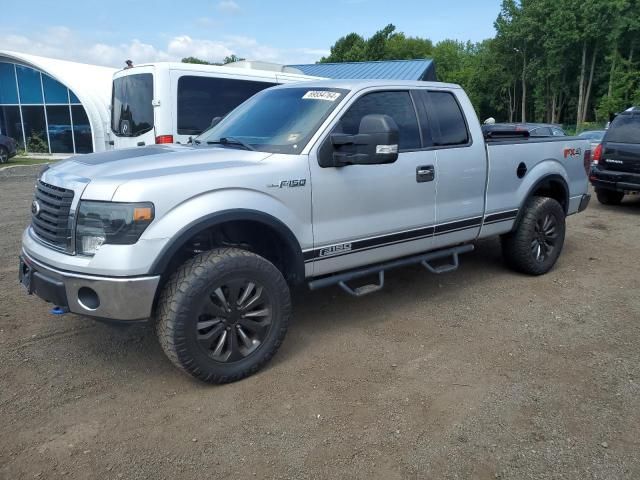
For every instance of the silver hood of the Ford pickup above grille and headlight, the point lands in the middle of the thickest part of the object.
(104, 172)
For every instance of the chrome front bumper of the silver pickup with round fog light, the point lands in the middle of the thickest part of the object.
(110, 298)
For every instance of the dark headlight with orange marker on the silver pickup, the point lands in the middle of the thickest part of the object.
(111, 223)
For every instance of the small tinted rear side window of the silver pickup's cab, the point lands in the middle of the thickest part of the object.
(448, 120)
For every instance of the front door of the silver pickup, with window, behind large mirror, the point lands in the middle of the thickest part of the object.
(364, 214)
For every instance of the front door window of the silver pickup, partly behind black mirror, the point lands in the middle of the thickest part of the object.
(397, 105)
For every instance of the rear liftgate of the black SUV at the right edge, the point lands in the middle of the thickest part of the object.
(621, 144)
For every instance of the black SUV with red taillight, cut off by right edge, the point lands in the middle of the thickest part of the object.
(616, 161)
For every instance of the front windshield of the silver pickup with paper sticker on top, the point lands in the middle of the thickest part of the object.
(280, 120)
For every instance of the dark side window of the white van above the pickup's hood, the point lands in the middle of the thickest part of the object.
(201, 99)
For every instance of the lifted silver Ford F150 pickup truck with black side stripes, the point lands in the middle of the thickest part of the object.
(317, 184)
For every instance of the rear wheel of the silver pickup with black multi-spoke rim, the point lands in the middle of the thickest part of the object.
(535, 245)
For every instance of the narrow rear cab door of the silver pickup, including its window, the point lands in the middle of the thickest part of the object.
(461, 167)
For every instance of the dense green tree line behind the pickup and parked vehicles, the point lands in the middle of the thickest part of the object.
(556, 61)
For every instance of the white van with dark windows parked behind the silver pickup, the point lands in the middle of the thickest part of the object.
(168, 102)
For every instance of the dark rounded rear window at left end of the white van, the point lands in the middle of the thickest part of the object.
(131, 105)
